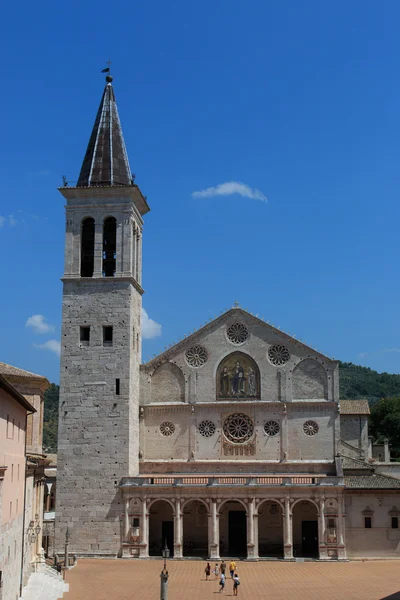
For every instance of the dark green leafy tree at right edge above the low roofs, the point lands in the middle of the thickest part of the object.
(385, 423)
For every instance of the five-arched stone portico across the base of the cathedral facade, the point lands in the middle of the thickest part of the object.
(233, 522)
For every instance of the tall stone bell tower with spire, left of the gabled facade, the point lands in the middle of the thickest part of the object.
(100, 341)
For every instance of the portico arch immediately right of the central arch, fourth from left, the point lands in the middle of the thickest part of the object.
(270, 530)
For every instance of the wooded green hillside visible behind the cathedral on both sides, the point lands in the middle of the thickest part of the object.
(355, 382)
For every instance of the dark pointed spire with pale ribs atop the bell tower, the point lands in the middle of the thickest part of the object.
(106, 161)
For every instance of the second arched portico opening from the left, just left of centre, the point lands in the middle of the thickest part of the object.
(195, 529)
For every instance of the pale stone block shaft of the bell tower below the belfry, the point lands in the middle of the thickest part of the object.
(98, 429)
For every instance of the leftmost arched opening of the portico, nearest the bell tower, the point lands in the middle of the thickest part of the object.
(161, 527)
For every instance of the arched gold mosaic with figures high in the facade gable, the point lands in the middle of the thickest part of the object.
(238, 377)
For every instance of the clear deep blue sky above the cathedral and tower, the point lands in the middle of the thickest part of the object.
(299, 101)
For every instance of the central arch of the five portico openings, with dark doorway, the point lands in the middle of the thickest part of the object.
(232, 529)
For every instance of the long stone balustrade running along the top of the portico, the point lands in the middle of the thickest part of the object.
(232, 480)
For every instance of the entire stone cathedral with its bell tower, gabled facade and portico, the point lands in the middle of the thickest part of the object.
(233, 442)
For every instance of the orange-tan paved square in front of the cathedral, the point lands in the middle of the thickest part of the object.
(140, 580)
